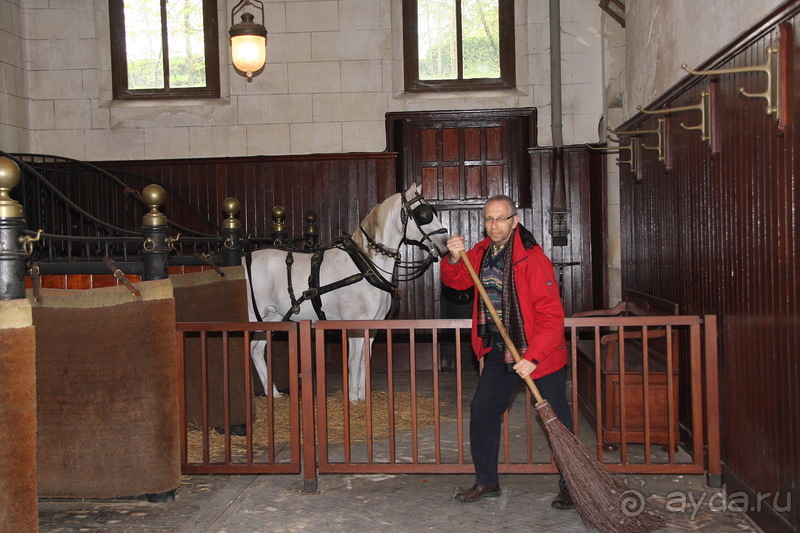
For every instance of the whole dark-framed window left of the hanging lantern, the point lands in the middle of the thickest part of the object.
(164, 49)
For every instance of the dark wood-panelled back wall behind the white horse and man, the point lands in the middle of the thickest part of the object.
(342, 188)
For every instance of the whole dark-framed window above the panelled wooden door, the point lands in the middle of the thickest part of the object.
(458, 44)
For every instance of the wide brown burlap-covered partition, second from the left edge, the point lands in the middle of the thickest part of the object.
(107, 392)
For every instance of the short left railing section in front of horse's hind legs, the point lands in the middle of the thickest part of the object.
(226, 428)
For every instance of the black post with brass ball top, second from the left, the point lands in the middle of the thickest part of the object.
(157, 245)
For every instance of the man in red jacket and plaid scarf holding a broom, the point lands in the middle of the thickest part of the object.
(520, 282)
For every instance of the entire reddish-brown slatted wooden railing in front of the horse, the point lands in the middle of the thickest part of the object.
(414, 420)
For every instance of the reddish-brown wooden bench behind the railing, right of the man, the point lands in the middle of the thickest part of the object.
(633, 304)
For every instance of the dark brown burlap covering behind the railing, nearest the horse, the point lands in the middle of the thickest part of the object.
(207, 297)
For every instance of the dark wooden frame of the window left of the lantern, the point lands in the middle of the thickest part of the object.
(119, 63)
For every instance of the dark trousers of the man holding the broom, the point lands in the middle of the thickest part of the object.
(492, 395)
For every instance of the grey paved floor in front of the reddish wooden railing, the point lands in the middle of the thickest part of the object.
(370, 503)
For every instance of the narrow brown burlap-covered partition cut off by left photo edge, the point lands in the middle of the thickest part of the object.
(18, 510)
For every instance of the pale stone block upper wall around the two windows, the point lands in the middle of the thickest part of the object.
(334, 69)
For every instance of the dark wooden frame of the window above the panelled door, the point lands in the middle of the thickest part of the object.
(506, 39)
